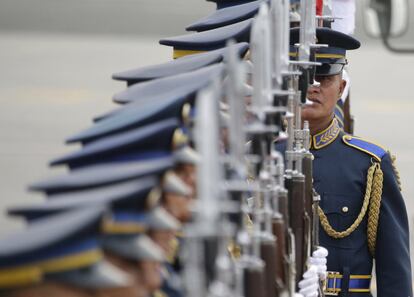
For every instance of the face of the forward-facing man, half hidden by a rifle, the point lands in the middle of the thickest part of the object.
(323, 98)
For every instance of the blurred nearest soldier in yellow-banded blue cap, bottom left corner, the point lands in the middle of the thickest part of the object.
(60, 256)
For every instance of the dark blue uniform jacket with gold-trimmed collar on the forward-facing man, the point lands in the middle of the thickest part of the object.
(339, 176)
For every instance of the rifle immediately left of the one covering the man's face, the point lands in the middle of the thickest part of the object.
(284, 95)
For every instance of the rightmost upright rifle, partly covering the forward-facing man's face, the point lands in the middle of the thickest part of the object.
(299, 168)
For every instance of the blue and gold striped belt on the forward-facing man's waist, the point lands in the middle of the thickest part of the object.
(357, 283)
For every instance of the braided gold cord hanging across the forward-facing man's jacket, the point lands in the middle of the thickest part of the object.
(373, 194)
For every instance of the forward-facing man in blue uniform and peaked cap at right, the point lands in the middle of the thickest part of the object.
(362, 213)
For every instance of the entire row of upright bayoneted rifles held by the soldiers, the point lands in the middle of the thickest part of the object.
(252, 200)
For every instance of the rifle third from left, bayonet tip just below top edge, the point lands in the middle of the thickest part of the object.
(266, 126)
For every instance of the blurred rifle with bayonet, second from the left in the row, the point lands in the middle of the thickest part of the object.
(250, 272)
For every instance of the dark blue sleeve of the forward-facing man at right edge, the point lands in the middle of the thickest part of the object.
(392, 256)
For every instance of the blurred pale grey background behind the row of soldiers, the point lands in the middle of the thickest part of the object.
(56, 61)
